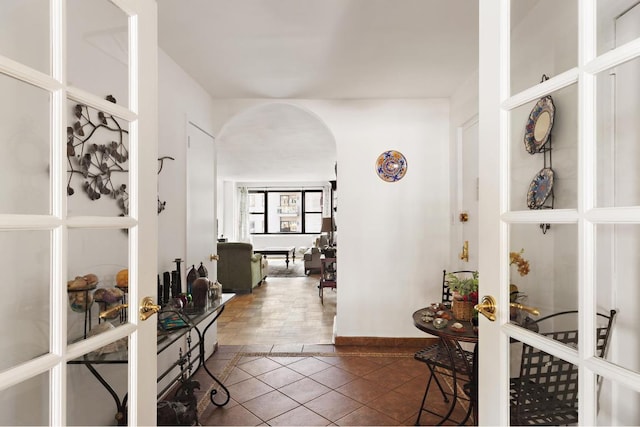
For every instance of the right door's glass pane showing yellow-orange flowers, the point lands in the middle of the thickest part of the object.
(550, 266)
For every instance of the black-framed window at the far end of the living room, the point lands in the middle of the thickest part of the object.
(285, 211)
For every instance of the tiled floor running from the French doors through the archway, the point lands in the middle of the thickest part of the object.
(291, 375)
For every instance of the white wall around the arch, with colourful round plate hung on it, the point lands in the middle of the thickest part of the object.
(393, 236)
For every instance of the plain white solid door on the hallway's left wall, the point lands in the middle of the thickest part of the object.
(201, 191)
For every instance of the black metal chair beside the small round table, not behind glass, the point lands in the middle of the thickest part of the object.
(447, 359)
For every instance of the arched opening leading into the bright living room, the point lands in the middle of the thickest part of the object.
(274, 147)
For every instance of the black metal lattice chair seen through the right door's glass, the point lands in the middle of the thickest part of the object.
(546, 390)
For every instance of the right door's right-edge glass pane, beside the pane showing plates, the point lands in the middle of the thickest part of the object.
(618, 151)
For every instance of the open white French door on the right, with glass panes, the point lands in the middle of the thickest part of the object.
(586, 260)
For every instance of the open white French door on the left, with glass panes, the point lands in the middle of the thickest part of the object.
(66, 141)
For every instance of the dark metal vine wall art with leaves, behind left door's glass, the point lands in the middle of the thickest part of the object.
(98, 163)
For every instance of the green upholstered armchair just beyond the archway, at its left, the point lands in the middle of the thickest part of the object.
(239, 269)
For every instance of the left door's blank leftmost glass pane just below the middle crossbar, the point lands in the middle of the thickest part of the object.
(27, 284)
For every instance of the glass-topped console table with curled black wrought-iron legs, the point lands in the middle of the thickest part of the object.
(190, 360)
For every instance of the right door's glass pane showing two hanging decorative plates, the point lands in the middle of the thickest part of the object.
(544, 152)
